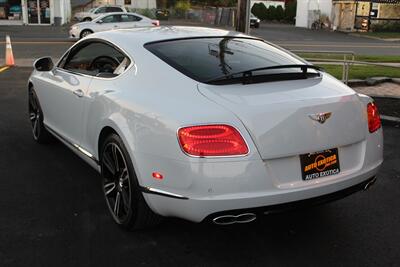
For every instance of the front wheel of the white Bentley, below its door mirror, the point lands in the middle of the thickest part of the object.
(39, 132)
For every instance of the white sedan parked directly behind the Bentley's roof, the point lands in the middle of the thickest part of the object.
(111, 21)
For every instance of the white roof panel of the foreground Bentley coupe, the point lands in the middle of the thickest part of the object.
(128, 38)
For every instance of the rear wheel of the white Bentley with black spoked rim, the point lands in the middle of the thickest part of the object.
(121, 190)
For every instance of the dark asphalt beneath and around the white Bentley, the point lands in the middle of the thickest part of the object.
(53, 214)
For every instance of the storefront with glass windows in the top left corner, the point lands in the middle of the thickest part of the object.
(35, 12)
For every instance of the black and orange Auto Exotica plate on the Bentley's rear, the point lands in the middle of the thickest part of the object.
(320, 164)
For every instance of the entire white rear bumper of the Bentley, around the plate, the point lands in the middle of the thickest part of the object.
(206, 189)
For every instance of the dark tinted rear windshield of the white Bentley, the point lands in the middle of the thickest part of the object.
(204, 59)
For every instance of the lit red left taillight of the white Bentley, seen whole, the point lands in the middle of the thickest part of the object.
(212, 141)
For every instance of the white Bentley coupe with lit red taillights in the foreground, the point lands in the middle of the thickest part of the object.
(204, 124)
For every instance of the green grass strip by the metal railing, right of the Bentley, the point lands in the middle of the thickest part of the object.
(363, 71)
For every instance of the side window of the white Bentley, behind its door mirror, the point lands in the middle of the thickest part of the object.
(96, 59)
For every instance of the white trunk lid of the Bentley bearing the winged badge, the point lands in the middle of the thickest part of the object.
(278, 114)
